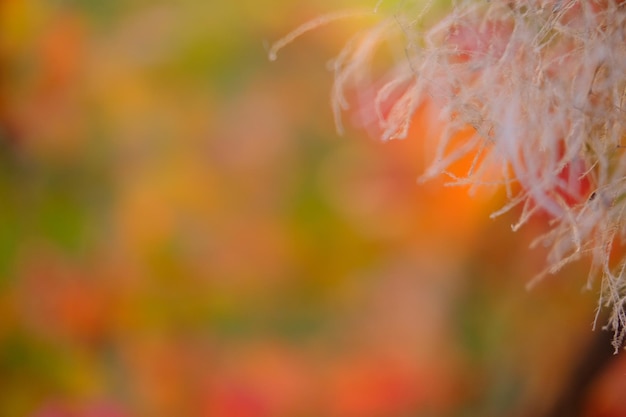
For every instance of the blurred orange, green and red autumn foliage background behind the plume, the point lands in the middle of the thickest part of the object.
(184, 233)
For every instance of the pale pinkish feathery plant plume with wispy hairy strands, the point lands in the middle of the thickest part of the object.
(543, 82)
